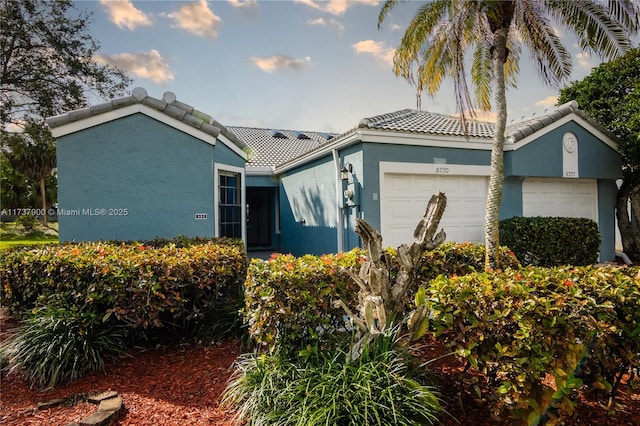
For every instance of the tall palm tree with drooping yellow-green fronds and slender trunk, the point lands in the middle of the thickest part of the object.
(442, 31)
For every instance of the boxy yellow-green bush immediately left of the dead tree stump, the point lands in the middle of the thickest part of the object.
(288, 300)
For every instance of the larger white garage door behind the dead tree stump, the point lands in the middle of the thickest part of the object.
(405, 198)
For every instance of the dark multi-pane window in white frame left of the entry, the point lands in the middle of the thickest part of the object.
(230, 204)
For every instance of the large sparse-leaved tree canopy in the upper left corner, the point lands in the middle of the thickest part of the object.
(47, 62)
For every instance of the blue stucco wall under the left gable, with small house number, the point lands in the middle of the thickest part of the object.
(160, 175)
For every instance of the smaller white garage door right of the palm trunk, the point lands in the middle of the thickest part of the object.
(560, 198)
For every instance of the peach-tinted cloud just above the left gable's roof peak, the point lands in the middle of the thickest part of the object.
(150, 65)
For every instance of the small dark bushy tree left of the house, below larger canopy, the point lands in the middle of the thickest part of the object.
(33, 154)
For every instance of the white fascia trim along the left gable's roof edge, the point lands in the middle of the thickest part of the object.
(115, 114)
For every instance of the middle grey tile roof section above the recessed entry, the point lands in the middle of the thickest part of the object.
(268, 150)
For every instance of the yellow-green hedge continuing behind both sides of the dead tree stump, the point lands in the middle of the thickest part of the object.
(289, 299)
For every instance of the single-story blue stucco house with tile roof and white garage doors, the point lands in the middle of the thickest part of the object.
(139, 167)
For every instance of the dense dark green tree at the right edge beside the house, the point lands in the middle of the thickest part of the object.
(611, 95)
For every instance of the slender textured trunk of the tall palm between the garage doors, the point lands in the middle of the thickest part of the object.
(496, 181)
